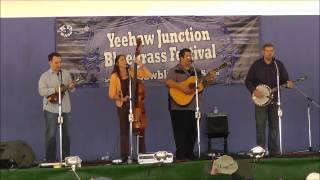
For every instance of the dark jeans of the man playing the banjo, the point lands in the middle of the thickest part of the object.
(264, 115)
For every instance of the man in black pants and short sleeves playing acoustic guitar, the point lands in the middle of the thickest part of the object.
(182, 114)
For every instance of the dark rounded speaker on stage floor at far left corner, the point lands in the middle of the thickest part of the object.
(17, 152)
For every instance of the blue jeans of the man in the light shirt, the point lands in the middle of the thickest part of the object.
(51, 132)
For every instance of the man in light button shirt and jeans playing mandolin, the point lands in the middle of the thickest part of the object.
(48, 88)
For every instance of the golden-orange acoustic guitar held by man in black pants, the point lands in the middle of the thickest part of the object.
(184, 99)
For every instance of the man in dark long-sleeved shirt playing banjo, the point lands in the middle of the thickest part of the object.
(263, 73)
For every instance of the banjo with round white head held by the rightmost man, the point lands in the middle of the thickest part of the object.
(267, 92)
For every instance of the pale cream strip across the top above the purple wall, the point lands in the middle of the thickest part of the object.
(46, 8)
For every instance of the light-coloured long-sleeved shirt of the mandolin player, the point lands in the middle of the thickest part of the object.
(49, 80)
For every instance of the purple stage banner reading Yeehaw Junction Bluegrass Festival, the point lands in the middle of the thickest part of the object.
(89, 45)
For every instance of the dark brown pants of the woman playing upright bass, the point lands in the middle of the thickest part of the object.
(123, 114)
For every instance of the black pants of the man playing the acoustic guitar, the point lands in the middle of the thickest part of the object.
(184, 127)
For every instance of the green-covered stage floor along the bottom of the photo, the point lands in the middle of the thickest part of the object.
(268, 169)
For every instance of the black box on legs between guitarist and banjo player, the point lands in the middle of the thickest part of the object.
(217, 124)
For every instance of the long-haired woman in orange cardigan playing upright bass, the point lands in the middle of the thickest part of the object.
(119, 92)
